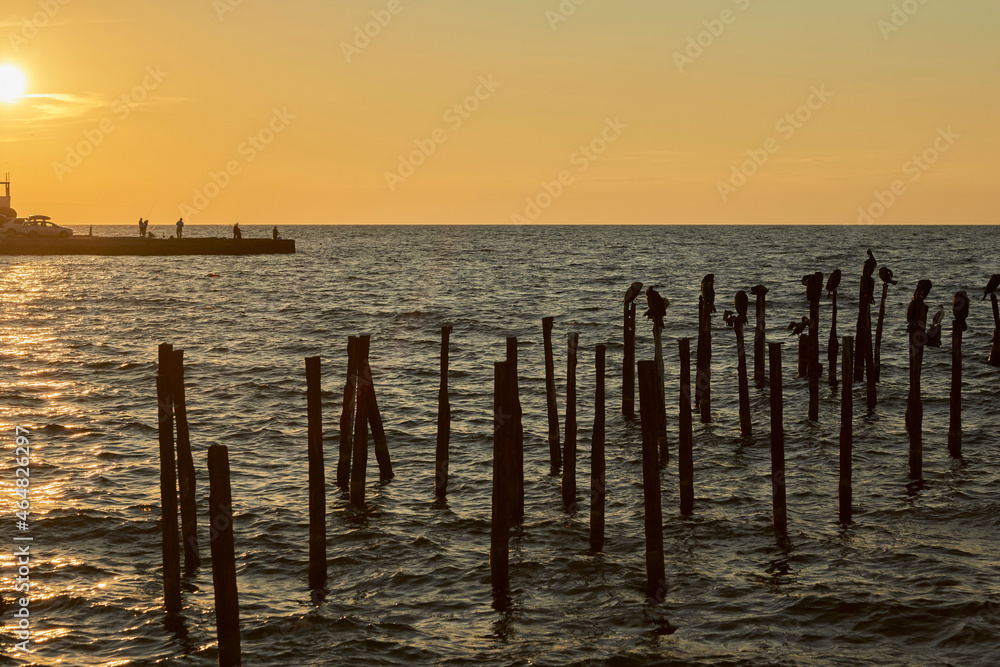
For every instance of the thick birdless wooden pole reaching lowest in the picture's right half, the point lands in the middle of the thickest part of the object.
(649, 413)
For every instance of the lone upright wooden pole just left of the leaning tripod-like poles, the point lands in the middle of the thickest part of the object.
(317, 475)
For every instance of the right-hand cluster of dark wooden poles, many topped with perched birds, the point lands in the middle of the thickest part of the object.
(508, 433)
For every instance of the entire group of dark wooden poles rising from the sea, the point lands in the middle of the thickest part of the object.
(360, 411)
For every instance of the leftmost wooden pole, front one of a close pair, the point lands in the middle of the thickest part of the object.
(168, 497)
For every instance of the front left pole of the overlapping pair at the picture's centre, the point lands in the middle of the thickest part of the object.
(500, 527)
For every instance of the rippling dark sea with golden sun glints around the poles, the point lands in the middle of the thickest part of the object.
(915, 580)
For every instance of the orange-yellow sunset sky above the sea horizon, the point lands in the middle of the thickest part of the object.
(132, 106)
